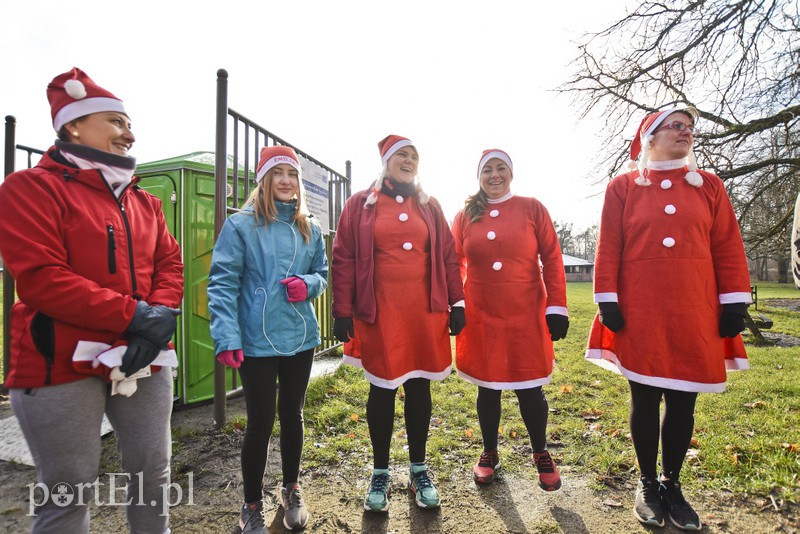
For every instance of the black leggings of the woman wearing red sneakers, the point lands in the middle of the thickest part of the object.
(533, 408)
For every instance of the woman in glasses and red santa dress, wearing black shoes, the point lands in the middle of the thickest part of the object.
(672, 287)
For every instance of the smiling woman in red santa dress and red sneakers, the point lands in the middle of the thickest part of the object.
(515, 310)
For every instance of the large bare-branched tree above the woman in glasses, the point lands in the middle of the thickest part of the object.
(737, 62)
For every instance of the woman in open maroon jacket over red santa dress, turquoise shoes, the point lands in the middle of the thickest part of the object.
(396, 293)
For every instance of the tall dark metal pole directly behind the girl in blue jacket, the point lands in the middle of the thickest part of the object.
(220, 213)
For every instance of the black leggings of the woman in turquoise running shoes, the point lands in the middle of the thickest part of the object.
(380, 418)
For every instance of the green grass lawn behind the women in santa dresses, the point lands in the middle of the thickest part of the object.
(746, 440)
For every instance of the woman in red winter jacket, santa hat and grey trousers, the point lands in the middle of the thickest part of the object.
(99, 278)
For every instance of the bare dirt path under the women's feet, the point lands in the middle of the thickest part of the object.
(334, 495)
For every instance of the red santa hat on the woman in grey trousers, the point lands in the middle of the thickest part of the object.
(73, 95)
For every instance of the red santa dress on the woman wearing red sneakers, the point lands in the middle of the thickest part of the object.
(506, 343)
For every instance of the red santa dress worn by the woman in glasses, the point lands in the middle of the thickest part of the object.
(670, 254)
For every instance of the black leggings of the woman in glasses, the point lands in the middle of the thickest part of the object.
(675, 428)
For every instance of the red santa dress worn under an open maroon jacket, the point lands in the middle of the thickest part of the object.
(407, 339)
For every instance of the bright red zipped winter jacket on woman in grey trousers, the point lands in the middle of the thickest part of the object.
(81, 259)
